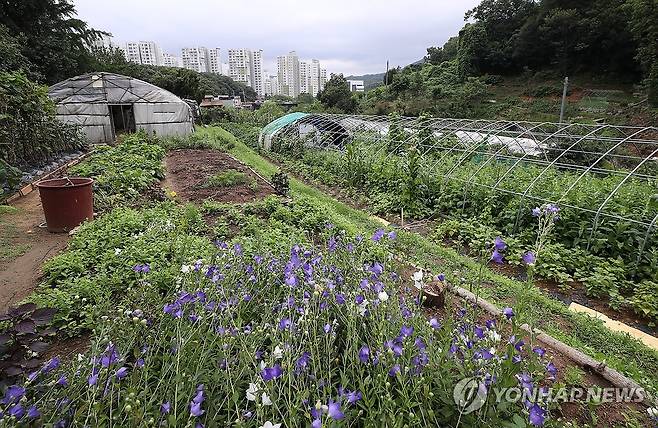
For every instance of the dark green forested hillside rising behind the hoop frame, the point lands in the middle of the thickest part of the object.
(511, 56)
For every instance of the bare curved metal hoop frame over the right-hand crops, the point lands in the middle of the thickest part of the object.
(627, 151)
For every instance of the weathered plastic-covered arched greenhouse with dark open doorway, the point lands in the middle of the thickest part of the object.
(106, 104)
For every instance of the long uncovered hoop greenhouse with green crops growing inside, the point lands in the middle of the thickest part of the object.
(604, 177)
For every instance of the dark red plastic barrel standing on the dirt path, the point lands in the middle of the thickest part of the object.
(67, 202)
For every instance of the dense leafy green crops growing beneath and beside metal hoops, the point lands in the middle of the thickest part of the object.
(613, 253)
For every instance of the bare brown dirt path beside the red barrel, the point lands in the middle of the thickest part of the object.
(20, 275)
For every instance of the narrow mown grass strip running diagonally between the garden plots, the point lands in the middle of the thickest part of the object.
(619, 351)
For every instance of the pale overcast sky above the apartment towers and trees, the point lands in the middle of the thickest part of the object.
(350, 37)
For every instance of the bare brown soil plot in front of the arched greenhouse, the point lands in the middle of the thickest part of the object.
(188, 172)
